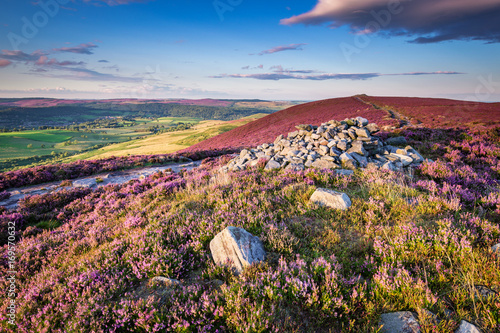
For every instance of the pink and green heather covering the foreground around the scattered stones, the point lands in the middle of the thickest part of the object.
(410, 241)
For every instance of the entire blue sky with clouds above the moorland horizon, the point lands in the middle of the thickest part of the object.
(231, 49)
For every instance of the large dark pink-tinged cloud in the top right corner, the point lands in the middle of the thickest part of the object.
(427, 21)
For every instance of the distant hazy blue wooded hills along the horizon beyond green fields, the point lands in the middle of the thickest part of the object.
(32, 113)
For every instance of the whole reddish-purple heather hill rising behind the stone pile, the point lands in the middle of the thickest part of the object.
(385, 111)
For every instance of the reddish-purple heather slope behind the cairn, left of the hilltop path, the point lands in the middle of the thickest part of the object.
(268, 128)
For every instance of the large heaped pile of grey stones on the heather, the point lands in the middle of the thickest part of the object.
(347, 144)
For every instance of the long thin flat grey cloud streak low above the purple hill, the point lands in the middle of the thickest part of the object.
(292, 75)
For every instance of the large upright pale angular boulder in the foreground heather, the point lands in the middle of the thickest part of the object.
(236, 247)
